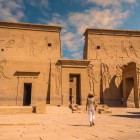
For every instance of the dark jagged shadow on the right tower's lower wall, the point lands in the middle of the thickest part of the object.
(111, 96)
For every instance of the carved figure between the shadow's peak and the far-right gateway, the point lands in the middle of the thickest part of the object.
(118, 78)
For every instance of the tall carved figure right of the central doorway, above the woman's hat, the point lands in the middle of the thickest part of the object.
(91, 76)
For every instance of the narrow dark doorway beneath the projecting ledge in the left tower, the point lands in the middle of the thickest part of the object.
(27, 94)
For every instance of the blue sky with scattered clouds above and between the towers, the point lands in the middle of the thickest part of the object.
(74, 16)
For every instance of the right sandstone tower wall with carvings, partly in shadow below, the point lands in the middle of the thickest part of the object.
(108, 51)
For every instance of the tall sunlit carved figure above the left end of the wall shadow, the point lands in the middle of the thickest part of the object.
(106, 77)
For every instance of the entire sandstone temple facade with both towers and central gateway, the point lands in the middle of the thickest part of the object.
(32, 71)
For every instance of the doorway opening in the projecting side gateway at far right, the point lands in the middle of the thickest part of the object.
(130, 95)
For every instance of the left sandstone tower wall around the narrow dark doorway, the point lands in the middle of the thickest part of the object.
(24, 52)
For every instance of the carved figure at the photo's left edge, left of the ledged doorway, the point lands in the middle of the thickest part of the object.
(2, 64)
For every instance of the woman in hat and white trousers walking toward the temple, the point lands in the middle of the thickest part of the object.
(91, 105)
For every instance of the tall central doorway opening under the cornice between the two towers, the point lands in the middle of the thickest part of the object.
(74, 89)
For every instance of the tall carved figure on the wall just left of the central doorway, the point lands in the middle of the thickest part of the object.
(57, 77)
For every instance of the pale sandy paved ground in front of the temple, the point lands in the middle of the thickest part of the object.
(60, 124)
